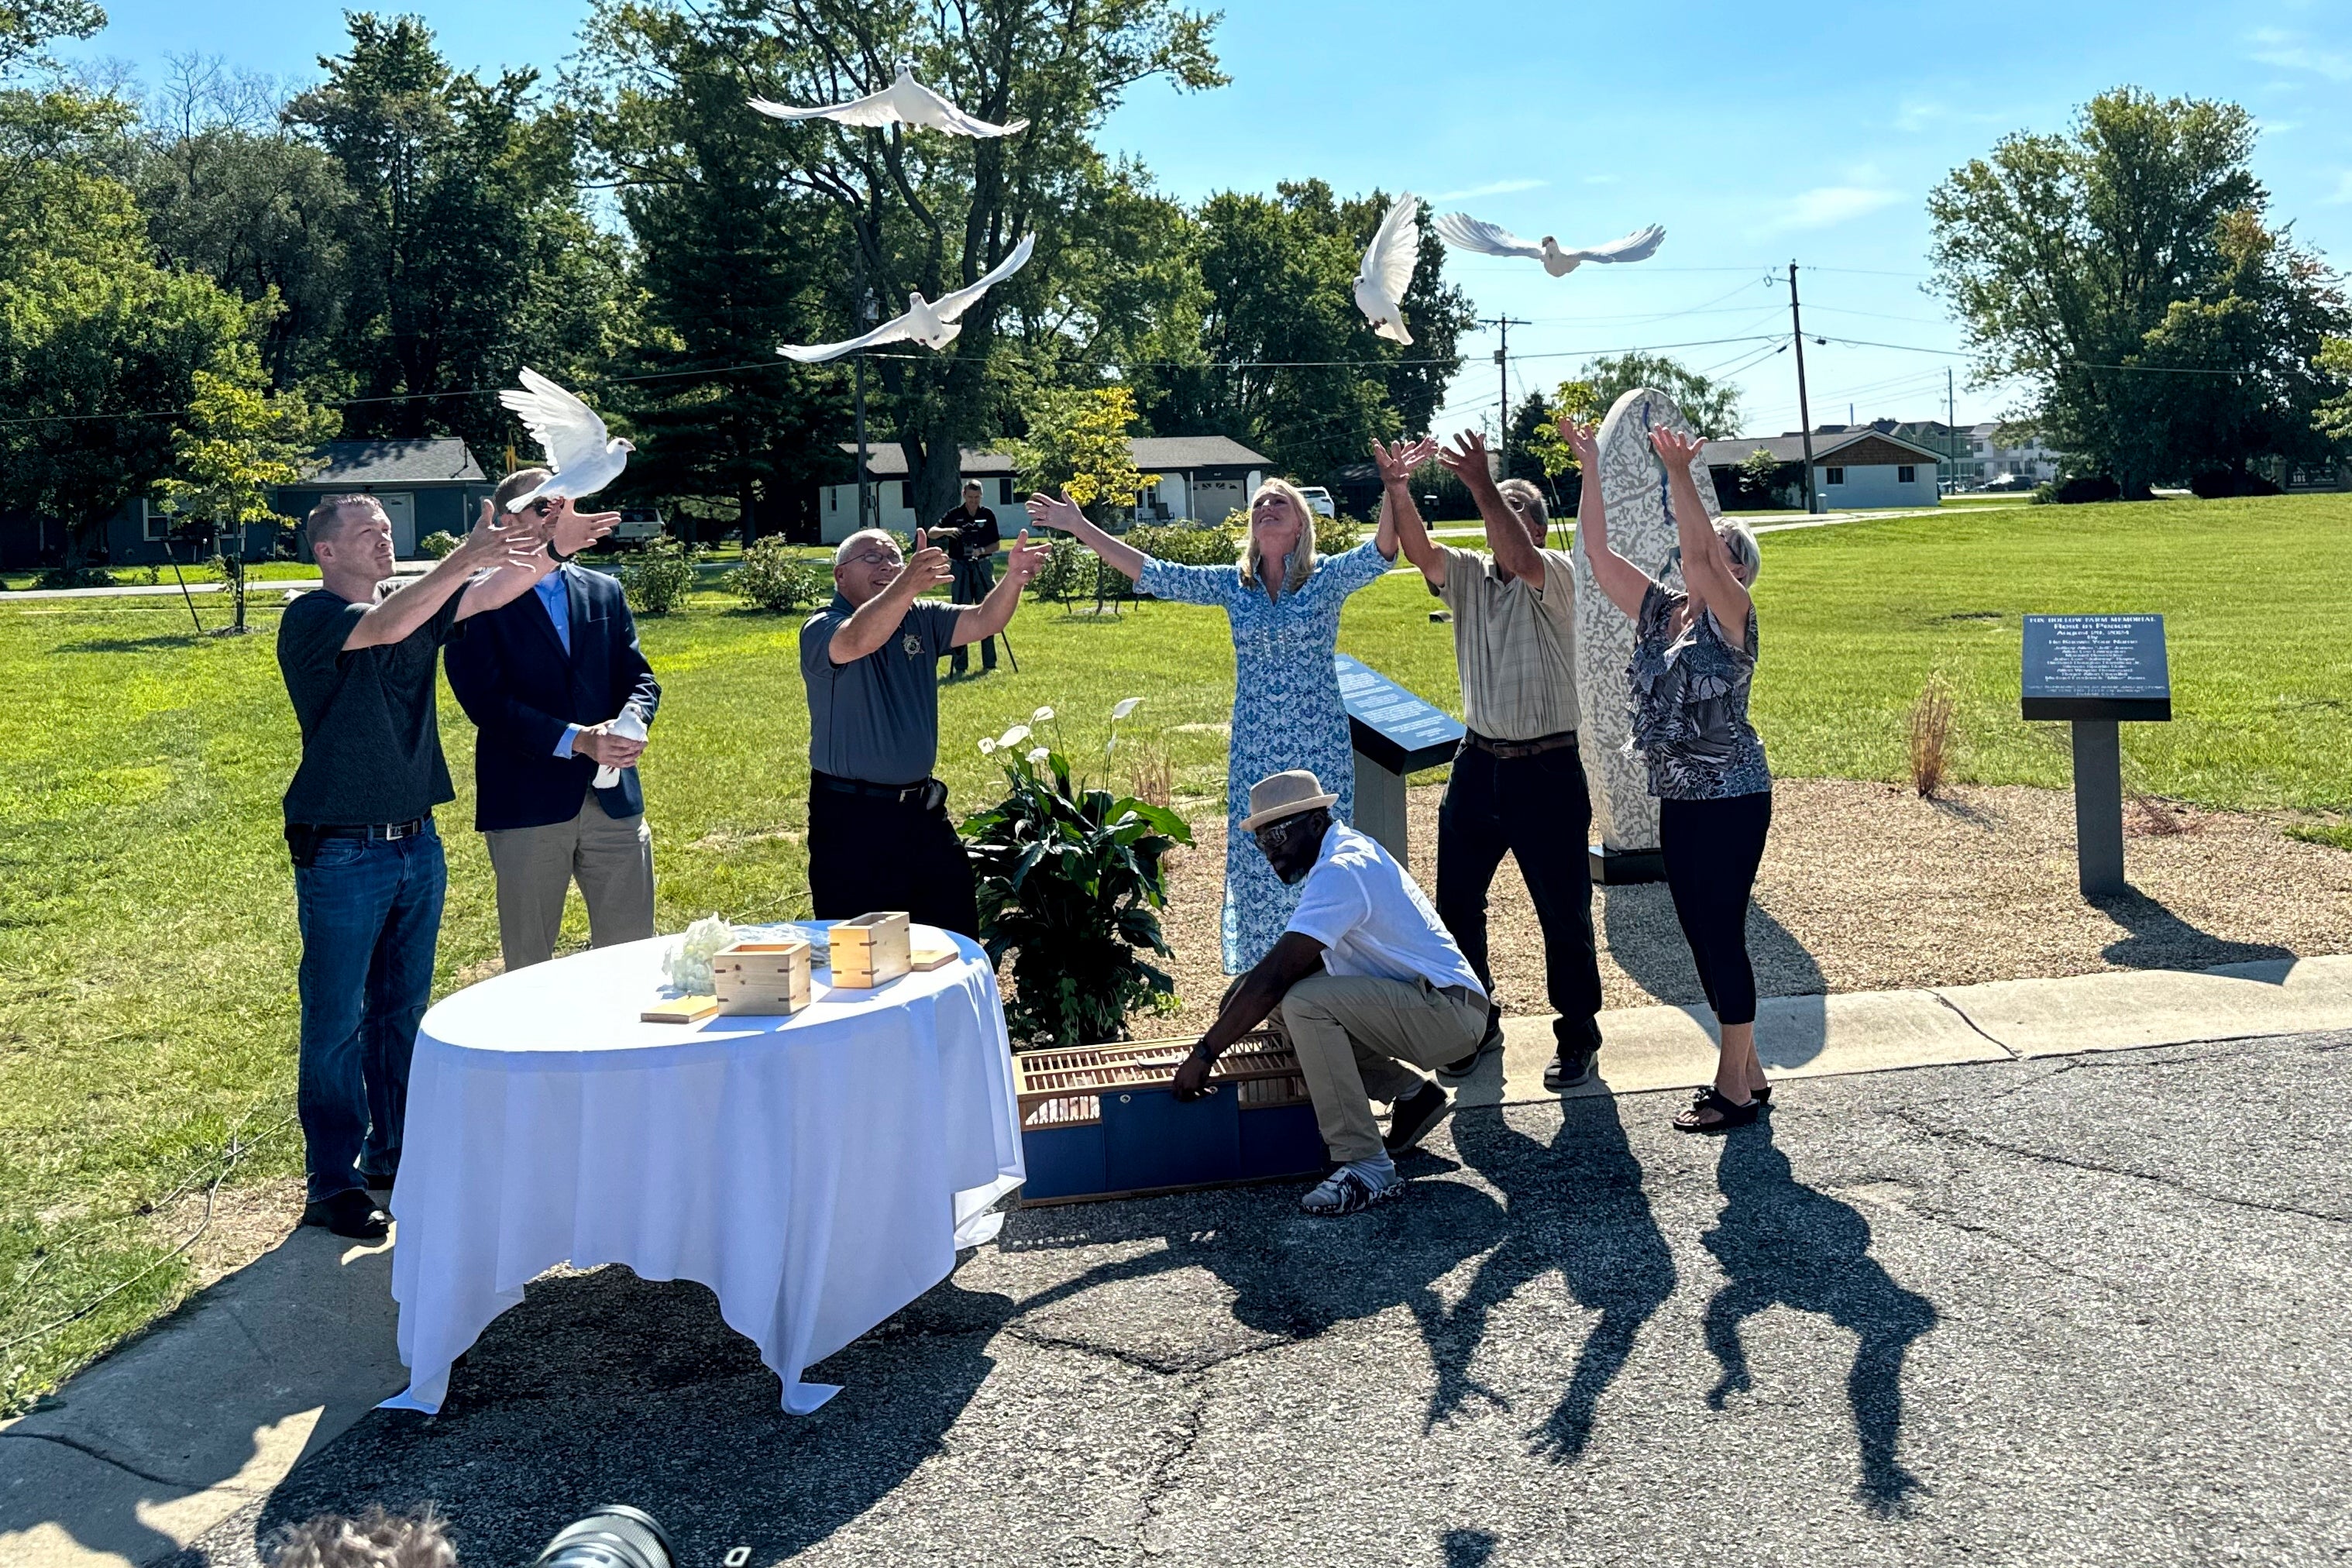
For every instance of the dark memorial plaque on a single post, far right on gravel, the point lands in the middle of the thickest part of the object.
(2094, 674)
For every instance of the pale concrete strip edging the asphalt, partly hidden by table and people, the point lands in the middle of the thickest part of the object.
(206, 1416)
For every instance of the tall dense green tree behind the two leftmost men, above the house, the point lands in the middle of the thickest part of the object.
(469, 248)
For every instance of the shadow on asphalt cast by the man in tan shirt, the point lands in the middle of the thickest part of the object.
(1575, 1207)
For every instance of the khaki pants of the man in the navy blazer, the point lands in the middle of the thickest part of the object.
(613, 862)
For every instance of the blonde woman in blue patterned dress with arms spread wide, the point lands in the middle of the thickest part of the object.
(1283, 605)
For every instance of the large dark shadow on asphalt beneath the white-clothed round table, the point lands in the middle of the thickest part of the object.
(608, 1388)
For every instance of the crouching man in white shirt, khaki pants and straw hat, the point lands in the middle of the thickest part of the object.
(1365, 981)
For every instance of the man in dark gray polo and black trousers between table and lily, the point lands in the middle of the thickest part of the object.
(878, 824)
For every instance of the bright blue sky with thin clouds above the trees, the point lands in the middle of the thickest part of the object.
(1753, 133)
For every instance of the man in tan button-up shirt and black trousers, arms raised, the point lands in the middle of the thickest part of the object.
(1518, 782)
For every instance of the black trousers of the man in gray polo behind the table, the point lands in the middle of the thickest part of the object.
(886, 855)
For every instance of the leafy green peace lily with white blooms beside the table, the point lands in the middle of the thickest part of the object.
(1071, 885)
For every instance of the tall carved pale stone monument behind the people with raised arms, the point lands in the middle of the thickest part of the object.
(1641, 530)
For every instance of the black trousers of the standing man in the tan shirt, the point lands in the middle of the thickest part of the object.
(1535, 810)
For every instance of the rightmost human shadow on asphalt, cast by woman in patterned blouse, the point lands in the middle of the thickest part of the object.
(1782, 1242)
